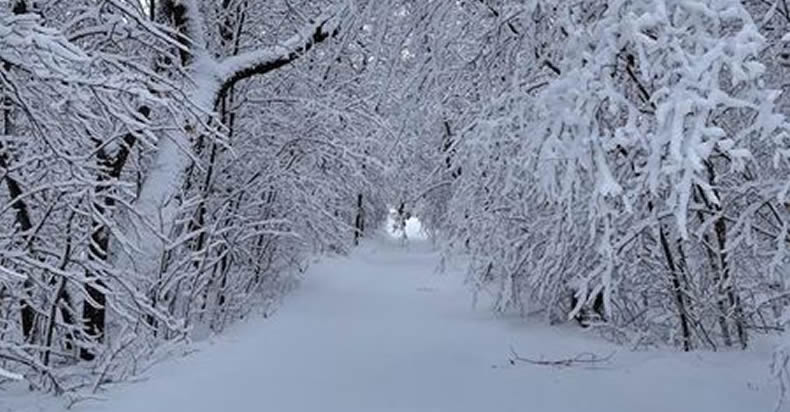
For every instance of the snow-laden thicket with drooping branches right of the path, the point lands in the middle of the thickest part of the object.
(633, 158)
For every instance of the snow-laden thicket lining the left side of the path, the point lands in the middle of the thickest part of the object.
(168, 167)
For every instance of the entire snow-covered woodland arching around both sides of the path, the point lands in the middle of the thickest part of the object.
(167, 166)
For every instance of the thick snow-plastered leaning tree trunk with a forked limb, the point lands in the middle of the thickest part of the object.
(155, 208)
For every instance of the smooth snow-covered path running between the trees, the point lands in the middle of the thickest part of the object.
(382, 331)
